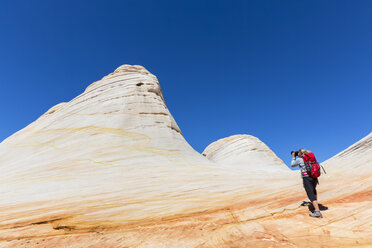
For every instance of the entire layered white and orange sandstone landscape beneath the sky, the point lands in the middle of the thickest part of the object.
(111, 168)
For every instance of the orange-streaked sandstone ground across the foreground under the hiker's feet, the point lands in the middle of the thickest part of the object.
(225, 227)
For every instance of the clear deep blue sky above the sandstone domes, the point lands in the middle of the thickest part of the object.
(292, 73)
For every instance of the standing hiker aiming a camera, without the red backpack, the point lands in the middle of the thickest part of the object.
(308, 181)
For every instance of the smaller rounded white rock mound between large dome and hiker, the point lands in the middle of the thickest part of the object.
(244, 152)
